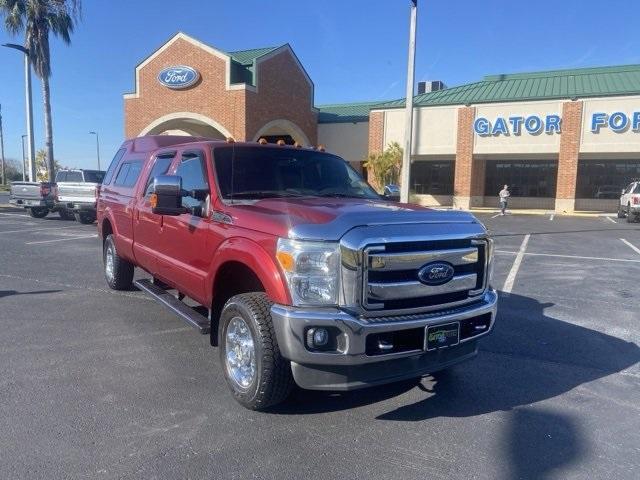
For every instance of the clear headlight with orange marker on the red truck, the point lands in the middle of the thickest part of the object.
(312, 271)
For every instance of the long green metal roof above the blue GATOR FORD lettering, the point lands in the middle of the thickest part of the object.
(554, 84)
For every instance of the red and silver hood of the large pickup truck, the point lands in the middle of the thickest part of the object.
(330, 218)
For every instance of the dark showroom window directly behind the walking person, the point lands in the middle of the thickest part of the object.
(527, 178)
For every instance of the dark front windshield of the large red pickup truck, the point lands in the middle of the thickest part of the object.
(262, 172)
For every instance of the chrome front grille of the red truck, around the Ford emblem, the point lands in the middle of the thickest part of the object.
(391, 280)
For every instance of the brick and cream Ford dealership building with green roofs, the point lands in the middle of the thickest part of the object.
(563, 140)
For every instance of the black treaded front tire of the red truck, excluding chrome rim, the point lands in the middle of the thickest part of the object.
(273, 380)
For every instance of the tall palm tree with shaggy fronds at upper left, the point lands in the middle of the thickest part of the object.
(38, 18)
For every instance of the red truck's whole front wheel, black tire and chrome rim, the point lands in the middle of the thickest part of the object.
(254, 369)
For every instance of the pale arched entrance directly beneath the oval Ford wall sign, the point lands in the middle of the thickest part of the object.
(186, 123)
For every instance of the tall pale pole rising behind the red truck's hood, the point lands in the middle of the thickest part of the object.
(408, 123)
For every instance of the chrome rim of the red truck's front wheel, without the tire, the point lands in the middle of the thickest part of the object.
(240, 353)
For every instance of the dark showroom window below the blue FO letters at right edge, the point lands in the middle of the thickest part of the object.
(605, 179)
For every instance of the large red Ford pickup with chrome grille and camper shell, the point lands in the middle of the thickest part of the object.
(299, 271)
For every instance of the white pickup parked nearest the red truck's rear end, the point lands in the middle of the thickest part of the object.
(77, 191)
